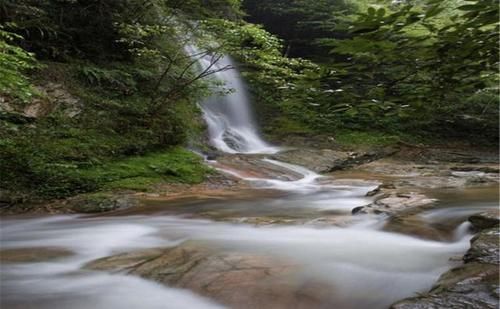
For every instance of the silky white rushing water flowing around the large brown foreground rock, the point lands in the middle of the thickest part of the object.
(382, 266)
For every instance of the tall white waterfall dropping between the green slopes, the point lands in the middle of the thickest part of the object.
(231, 126)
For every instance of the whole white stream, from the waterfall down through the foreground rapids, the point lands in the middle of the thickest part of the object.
(358, 264)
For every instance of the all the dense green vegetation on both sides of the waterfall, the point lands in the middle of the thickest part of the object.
(85, 83)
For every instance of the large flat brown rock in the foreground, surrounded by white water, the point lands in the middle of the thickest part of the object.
(238, 280)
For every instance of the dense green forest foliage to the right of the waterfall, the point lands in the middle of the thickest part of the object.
(428, 68)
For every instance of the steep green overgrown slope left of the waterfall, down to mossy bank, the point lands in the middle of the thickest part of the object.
(124, 61)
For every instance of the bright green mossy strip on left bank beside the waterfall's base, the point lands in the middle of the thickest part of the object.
(138, 173)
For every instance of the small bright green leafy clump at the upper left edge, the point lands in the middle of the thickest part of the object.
(14, 63)
